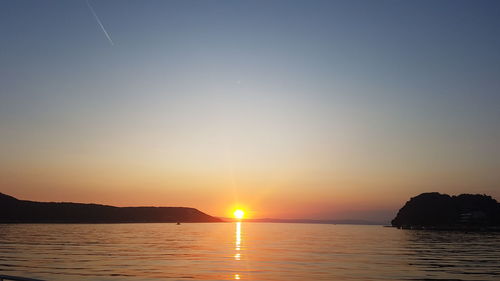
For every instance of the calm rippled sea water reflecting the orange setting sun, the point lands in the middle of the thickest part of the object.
(246, 251)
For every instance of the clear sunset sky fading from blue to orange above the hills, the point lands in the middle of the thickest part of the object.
(288, 109)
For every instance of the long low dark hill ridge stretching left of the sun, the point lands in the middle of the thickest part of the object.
(13, 210)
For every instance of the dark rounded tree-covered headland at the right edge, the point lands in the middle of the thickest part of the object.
(441, 210)
